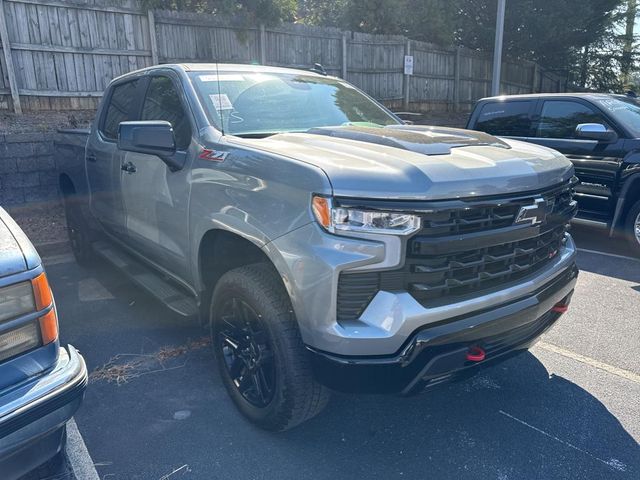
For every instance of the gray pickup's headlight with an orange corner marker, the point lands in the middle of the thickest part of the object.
(337, 219)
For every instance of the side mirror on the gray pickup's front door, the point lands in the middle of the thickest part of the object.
(153, 137)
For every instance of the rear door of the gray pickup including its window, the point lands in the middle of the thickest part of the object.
(102, 155)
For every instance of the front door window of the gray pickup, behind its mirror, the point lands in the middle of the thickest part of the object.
(163, 103)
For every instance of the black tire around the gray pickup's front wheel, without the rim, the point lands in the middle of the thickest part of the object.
(296, 395)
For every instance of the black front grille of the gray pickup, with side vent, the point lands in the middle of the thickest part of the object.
(473, 247)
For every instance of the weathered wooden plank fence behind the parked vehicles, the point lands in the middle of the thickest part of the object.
(60, 55)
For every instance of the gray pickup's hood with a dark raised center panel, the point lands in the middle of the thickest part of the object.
(418, 162)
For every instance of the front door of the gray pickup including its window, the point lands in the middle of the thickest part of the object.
(156, 198)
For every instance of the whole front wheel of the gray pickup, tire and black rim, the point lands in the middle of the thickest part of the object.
(262, 360)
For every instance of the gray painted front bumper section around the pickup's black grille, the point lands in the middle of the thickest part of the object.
(310, 262)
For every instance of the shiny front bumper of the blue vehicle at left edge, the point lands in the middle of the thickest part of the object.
(34, 413)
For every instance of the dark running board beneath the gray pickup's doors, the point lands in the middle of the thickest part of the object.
(148, 279)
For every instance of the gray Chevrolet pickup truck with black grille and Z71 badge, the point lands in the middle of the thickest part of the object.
(324, 243)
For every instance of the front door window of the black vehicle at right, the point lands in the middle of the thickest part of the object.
(559, 119)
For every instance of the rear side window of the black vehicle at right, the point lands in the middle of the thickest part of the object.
(505, 118)
